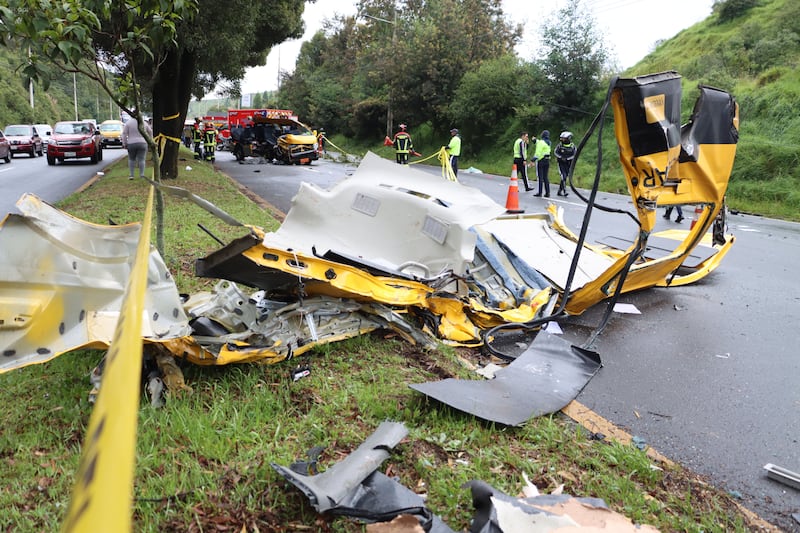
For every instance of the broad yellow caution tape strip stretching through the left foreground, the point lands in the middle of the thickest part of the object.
(103, 492)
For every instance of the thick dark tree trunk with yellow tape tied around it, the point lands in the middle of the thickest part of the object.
(171, 94)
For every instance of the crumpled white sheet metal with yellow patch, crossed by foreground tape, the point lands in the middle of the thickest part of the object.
(62, 281)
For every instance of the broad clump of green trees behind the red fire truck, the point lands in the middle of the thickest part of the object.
(404, 59)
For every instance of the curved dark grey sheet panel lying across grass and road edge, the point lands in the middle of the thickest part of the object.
(542, 380)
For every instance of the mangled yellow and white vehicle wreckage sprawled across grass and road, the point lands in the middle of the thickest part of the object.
(387, 248)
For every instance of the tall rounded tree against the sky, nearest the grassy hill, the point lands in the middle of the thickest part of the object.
(573, 57)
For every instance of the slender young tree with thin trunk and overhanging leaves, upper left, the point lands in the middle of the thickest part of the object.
(65, 34)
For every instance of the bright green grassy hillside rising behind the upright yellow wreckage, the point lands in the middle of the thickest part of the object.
(750, 48)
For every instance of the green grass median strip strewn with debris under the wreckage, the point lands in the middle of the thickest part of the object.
(203, 461)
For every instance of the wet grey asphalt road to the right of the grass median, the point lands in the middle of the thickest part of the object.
(708, 374)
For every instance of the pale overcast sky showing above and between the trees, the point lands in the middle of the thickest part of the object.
(632, 27)
